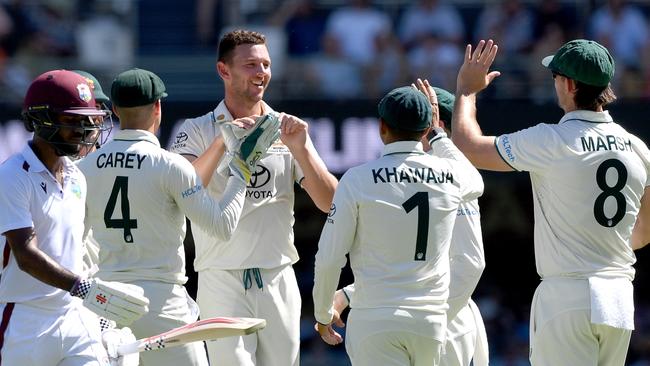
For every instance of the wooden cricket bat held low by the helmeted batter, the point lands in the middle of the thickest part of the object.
(202, 330)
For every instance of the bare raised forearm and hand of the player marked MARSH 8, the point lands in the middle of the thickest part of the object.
(466, 133)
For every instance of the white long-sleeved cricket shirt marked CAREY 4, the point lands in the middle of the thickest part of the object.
(138, 199)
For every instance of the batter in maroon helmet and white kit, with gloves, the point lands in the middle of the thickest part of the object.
(43, 194)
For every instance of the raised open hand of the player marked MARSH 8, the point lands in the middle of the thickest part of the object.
(473, 75)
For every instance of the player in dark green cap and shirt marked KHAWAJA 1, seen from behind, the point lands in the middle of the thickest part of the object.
(394, 216)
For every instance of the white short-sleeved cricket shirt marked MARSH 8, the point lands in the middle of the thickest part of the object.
(588, 175)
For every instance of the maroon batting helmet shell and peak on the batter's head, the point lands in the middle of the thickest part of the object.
(61, 91)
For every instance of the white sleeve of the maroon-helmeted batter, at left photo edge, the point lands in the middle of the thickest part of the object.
(15, 196)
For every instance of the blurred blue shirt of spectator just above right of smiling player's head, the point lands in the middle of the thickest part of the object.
(356, 27)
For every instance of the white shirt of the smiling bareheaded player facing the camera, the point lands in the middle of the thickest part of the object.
(264, 236)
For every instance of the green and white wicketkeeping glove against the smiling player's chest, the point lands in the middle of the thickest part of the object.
(254, 146)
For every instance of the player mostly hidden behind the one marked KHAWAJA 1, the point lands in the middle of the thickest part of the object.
(466, 336)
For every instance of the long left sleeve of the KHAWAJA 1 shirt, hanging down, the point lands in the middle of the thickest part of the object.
(335, 242)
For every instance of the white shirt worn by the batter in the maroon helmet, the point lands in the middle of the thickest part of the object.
(30, 196)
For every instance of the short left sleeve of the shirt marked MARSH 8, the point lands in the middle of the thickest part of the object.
(531, 149)
